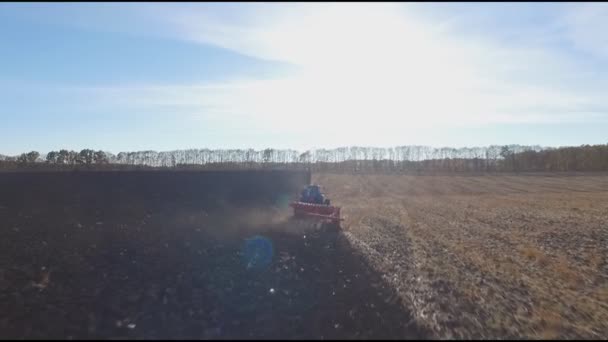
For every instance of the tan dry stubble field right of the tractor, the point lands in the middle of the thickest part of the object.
(490, 256)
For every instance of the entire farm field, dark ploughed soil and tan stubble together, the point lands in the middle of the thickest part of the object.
(185, 254)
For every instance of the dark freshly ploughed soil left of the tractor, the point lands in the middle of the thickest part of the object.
(180, 255)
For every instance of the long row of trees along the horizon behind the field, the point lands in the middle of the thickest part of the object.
(403, 159)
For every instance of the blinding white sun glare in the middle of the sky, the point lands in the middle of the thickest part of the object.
(357, 64)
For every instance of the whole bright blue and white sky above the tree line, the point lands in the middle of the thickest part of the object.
(167, 76)
